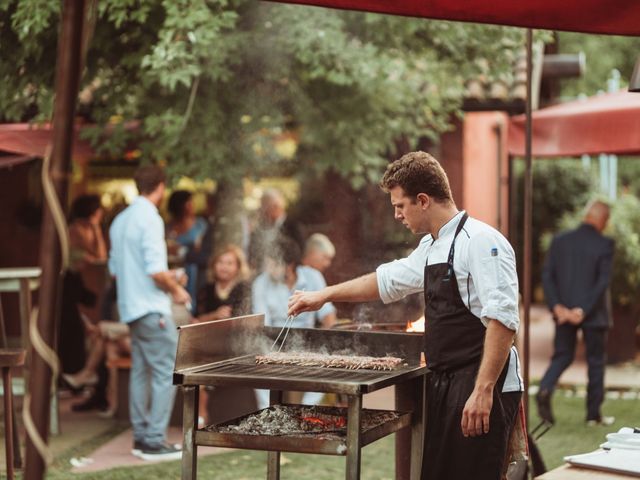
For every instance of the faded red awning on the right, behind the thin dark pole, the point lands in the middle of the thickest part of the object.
(608, 123)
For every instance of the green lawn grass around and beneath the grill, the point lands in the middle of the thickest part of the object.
(569, 436)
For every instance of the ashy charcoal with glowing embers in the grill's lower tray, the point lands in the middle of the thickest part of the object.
(293, 420)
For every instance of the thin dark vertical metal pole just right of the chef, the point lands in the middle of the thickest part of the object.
(528, 211)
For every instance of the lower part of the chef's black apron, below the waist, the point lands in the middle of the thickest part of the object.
(448, 455)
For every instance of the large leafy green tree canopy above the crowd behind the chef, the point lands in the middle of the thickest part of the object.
(214, 82)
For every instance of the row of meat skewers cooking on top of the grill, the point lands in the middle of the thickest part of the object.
(349, 362)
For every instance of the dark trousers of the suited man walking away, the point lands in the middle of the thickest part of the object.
(564, 349)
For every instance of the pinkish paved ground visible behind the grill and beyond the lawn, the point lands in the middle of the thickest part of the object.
(79, 428)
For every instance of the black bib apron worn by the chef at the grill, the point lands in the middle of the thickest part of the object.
(454, 339)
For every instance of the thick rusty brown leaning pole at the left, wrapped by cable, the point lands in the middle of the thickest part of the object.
(67, 82)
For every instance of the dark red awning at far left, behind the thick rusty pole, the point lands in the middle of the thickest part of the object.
(28, 139)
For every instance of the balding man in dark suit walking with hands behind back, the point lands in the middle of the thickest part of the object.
(576, 278)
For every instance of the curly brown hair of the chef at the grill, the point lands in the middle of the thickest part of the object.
(418, 172)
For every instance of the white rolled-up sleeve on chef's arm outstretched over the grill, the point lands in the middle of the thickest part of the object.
(400, 278)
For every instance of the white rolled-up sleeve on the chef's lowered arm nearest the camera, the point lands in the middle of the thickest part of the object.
(492, 266)
